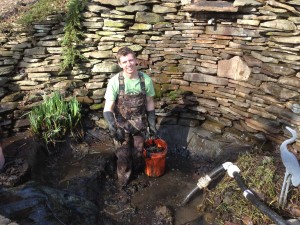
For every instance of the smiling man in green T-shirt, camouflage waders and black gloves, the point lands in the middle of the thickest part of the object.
(129, 110)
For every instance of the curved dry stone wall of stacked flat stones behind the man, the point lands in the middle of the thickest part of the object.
(216, 64)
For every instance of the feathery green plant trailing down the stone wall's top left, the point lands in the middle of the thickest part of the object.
(73, 34)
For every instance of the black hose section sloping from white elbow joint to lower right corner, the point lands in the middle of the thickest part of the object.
(256, 202)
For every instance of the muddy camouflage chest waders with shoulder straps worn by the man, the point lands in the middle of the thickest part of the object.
(130, 114)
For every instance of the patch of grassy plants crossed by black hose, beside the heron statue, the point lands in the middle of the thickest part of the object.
(227, 200)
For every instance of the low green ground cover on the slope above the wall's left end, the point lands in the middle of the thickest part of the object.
(40, 10)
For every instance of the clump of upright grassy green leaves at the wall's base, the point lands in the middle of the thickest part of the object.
(54, 118)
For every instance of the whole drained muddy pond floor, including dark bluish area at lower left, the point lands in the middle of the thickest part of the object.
(79, 186)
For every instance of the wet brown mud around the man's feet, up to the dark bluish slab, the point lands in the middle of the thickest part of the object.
(87, 169)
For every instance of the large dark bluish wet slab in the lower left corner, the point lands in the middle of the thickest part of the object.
(41, 205)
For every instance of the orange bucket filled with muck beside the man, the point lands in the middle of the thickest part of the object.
(155, 161)
